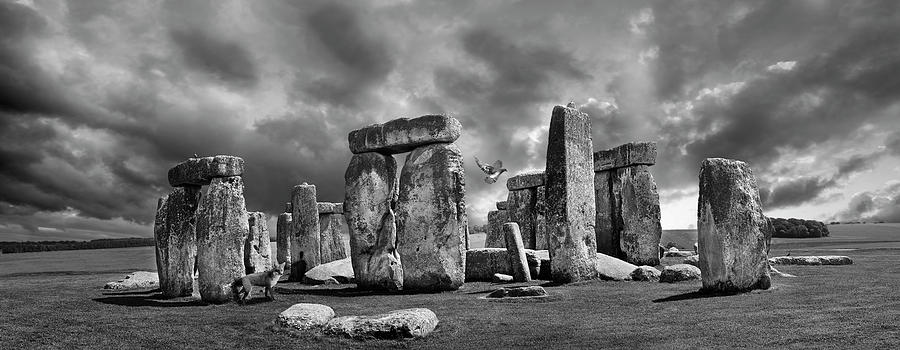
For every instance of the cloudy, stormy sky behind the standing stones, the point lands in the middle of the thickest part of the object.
(98, 99)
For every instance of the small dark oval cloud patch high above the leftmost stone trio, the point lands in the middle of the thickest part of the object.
(222, 58)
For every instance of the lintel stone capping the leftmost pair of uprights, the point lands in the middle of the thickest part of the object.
(200, 171)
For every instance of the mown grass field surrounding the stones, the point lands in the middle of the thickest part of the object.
(835, 307)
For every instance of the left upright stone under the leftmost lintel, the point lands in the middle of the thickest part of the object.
(176, 240)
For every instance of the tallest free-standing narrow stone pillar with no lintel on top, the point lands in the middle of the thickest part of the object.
(570, 196)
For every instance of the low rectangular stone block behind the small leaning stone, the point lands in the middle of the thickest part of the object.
(482, 263)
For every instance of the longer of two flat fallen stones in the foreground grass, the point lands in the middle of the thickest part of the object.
(406, 323)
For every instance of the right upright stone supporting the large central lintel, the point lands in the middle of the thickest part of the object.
(431, 218)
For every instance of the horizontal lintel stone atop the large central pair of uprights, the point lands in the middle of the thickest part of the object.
(403, 135)
